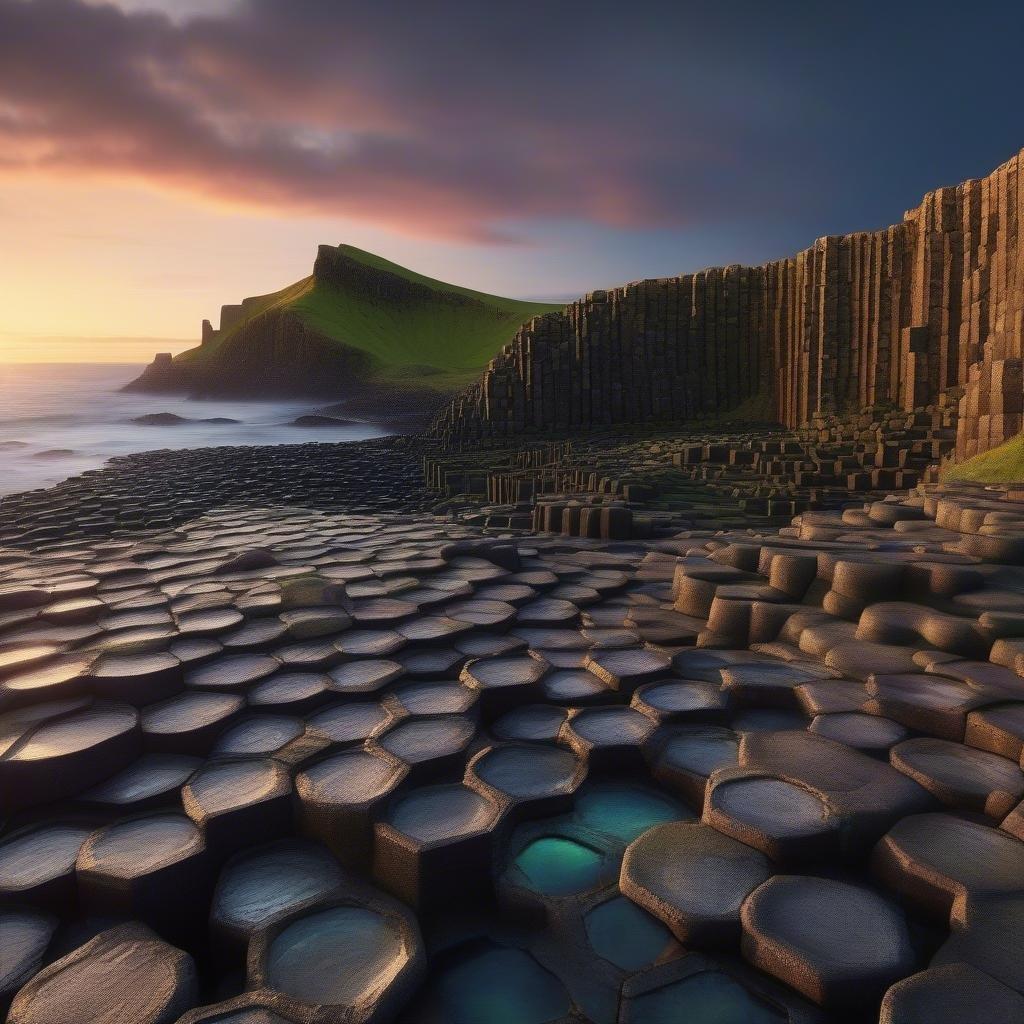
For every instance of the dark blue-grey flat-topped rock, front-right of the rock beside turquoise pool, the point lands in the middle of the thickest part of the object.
(839, 945)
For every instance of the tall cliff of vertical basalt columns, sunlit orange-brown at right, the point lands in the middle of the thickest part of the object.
(897, 316)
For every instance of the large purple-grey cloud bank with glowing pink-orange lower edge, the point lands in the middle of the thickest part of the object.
(448, 119)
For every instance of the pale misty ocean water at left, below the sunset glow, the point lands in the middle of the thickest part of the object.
(61, 419)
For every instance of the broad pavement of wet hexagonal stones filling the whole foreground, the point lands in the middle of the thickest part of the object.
(293, 763)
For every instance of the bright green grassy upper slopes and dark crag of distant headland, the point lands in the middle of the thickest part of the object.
(411, 326)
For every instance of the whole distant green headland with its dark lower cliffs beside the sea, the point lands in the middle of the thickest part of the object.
(357, 319)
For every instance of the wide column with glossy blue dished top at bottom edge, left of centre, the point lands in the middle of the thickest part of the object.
(356, 959)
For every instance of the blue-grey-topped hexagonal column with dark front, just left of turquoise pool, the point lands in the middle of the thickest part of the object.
(433, 849)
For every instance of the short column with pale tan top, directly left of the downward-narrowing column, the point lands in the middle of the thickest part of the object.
(238, 803)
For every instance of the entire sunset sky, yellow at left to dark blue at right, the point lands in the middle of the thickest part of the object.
(160, 158)
